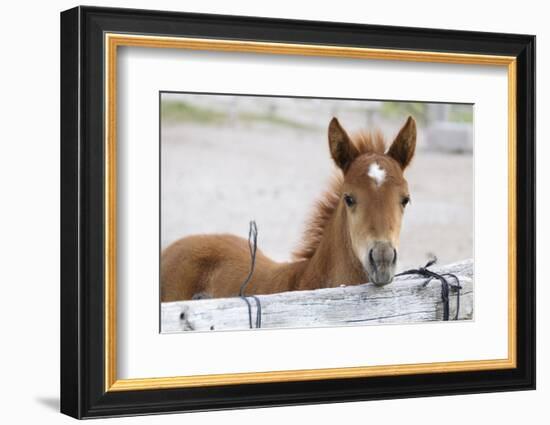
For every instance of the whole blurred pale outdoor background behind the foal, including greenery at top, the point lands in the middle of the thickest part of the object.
(226, 160)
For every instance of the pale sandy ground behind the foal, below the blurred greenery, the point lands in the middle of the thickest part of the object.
(215, 179)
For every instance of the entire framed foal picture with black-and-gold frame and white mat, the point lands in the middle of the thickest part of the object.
(261, 212)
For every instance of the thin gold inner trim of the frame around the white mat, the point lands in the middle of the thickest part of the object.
(113, 41)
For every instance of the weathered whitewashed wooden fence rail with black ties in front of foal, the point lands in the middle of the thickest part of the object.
(405, 300)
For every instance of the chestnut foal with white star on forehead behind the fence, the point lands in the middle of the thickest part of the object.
(352, 238)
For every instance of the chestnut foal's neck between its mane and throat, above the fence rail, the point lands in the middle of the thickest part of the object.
(334, 262)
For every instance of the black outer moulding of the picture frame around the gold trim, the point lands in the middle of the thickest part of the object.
(83, 392)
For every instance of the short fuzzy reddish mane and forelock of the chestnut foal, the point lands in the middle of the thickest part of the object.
(325, 206)
